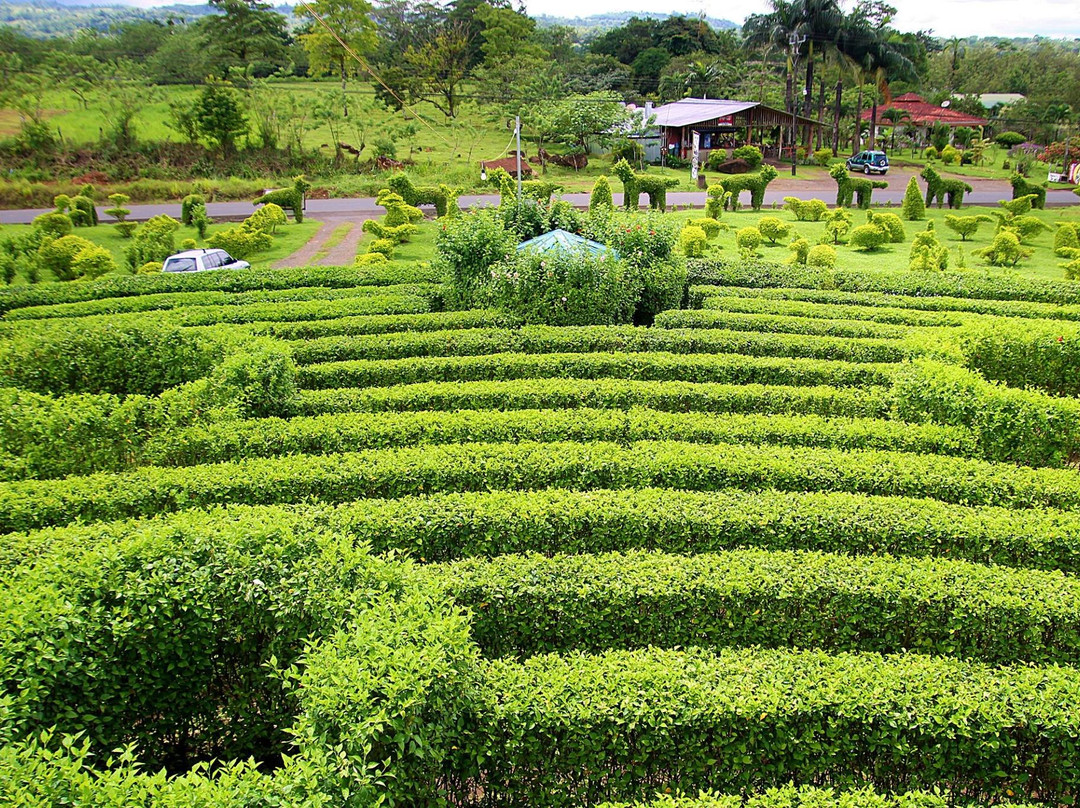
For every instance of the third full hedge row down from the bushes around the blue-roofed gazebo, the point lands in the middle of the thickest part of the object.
(555, 394)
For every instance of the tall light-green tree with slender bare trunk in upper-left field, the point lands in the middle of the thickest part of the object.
(352, 24)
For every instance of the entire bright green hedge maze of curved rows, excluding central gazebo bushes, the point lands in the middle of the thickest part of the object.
(303, 538)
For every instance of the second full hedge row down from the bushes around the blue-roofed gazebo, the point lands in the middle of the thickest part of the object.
(653, 367)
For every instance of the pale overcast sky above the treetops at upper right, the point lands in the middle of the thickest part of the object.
(947, 18)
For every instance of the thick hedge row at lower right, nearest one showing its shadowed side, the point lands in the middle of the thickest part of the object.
(629, 724)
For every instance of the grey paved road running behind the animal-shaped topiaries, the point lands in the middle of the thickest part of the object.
(987, 193)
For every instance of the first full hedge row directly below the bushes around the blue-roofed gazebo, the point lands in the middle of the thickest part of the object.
(595, 340)
